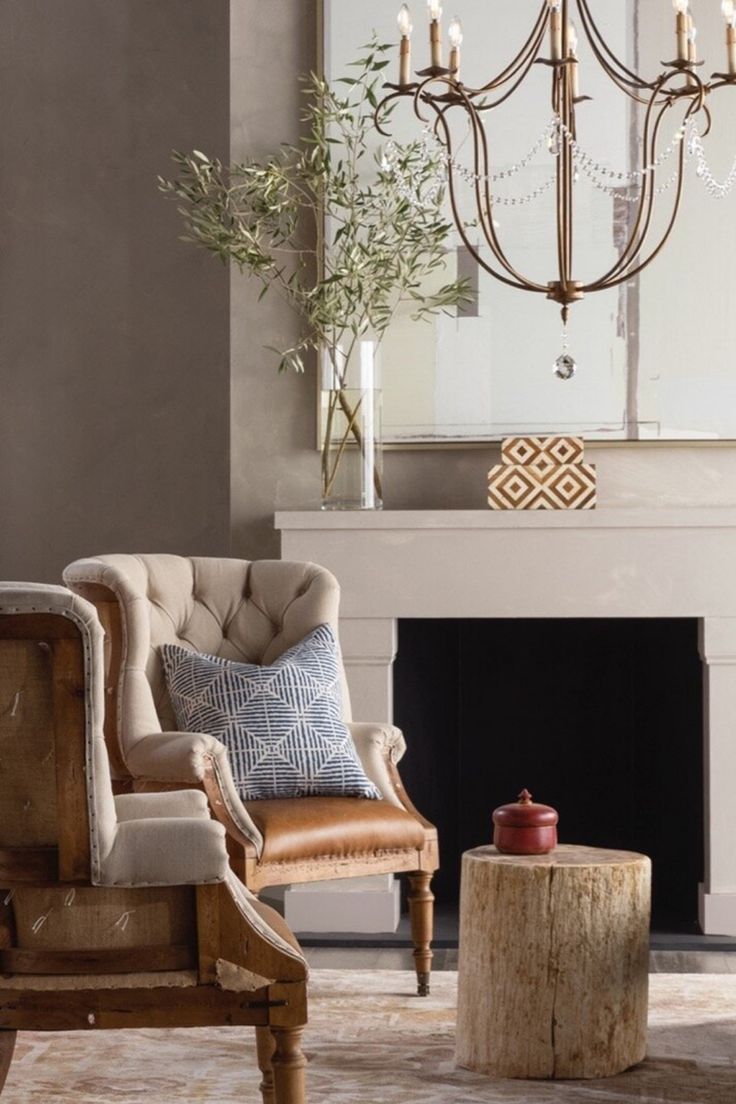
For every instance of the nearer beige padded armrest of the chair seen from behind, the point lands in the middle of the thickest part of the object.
(167, 852)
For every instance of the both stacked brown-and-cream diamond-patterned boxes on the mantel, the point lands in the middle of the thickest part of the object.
(542, 474)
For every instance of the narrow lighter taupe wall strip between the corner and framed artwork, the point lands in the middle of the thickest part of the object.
(274, 461)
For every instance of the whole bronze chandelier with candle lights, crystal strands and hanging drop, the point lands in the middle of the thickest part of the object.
(440, 94)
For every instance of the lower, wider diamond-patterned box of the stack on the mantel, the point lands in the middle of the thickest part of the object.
(547, 487)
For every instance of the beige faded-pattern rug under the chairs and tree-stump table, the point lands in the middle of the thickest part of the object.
(380, 1045)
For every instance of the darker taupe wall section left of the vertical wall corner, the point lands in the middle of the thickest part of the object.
(114, 336)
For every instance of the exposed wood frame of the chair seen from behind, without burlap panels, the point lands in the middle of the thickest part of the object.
(278, 1009)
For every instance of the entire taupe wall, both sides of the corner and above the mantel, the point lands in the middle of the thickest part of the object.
(138, 409)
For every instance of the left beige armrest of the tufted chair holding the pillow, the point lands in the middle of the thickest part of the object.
(196, 759)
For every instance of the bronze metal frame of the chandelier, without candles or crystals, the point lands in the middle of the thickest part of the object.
(440, 92)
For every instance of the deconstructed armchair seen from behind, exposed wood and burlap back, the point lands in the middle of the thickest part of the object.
(119, 912)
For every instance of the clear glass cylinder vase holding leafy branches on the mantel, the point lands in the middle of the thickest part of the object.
(353, 455)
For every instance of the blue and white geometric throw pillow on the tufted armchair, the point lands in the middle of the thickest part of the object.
(282, 724)
